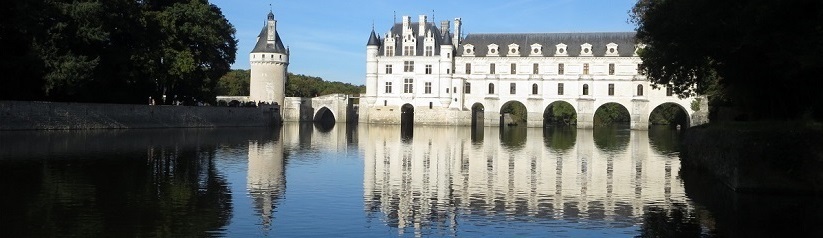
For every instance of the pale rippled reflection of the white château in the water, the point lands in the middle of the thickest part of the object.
(606, 174)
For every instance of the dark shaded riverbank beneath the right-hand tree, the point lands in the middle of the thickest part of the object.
(774, 158)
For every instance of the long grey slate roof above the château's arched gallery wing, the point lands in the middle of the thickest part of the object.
(625, 42)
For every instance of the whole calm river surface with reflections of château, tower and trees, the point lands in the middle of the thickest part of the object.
(374, 181)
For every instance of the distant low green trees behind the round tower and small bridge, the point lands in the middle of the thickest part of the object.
(236, 83)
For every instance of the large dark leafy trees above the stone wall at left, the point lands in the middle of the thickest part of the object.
(114, 51)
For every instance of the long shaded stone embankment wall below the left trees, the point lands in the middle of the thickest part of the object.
(23, 115)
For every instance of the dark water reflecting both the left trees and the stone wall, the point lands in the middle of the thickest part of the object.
(116, 183)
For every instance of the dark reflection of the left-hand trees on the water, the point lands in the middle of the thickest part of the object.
(164, 191)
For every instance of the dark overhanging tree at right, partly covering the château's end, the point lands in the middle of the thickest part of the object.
(755, 55)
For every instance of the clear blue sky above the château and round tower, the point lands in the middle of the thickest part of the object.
(328, 38)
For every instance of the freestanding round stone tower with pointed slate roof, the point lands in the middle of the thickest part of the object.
(269, 62)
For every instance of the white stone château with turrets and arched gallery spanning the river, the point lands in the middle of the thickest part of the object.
(437, 77)
